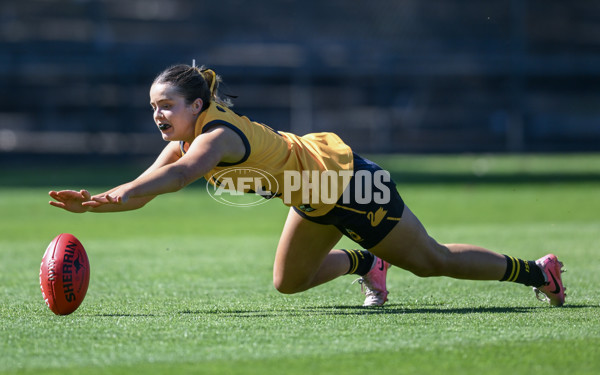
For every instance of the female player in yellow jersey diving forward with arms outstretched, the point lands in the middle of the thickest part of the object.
(206, 137)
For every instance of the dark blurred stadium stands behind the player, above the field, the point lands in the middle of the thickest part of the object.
(403, 76)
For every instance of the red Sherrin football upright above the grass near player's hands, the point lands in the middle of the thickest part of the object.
(64, 274)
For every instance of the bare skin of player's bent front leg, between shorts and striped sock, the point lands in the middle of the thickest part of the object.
(305, 258)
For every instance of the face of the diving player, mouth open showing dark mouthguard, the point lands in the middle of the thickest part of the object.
(174, 118)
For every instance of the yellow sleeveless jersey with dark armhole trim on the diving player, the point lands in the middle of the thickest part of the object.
(320, 162)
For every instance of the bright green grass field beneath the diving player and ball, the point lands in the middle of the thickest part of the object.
(184, 285)
